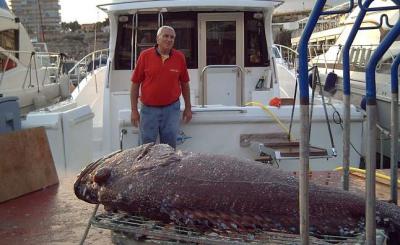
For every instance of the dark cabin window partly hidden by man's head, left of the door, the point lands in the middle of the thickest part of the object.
(185, 25)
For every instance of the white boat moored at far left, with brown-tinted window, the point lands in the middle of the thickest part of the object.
(25, 73)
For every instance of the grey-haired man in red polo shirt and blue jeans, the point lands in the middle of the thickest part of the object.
(161, 74)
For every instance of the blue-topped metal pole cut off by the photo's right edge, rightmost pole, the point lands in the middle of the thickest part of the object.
(394, 128)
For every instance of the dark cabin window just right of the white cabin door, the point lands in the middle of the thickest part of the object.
(256, 52)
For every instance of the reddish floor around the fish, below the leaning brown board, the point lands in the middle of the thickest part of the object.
(55, 216)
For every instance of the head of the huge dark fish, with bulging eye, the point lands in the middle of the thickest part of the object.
(104, 178)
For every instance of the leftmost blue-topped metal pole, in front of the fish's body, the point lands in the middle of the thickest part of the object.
(304, 121)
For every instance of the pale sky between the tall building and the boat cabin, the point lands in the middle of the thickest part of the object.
(83, 11)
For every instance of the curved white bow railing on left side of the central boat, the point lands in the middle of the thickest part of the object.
(87, 65)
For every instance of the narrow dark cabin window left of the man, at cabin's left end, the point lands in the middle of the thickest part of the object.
(123, 49)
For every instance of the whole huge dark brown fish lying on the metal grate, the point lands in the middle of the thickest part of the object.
(218, 192)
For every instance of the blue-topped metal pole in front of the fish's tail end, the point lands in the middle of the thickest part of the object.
(371, 130)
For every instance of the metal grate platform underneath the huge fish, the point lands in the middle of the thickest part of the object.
(141, 229)
